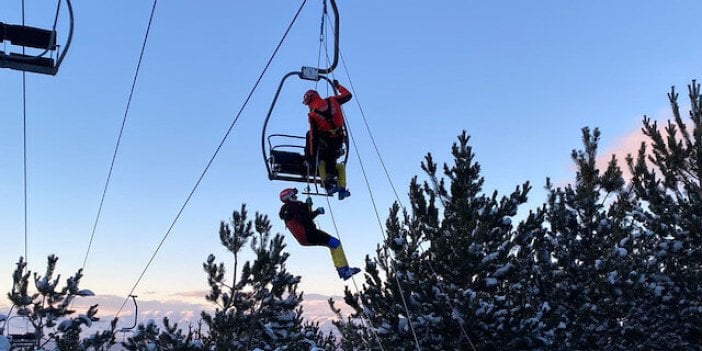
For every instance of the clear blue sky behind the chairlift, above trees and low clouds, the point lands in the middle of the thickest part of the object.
(521, 77)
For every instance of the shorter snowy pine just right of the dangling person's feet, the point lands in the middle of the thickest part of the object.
(399, 298)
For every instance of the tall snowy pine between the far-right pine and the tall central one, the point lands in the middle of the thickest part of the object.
(587, 255)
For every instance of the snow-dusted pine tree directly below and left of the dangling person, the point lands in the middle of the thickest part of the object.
(261, 307)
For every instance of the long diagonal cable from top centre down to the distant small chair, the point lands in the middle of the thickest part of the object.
(216, 152)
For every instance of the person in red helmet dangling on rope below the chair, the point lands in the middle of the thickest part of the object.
(299, 219)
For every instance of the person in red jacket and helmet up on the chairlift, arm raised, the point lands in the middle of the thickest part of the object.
(325, 139)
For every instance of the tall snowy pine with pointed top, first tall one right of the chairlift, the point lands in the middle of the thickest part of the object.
(476, 254)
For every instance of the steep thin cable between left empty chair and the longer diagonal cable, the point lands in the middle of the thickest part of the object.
(121, 132)
